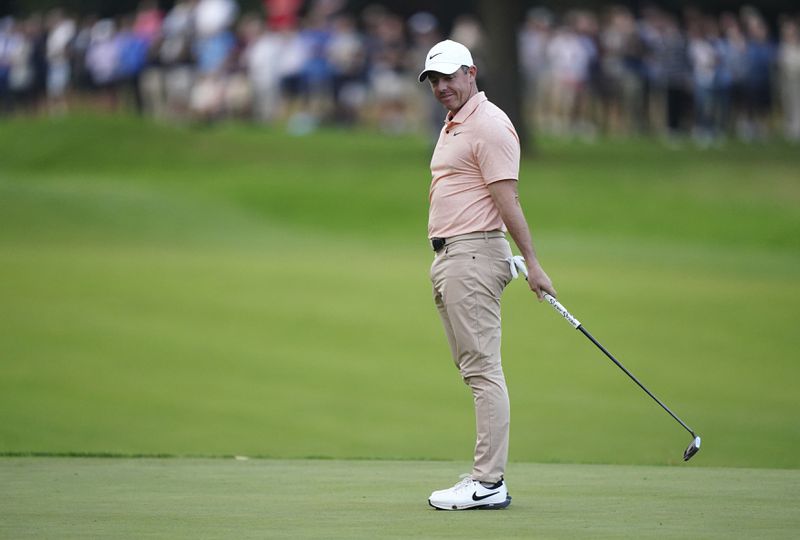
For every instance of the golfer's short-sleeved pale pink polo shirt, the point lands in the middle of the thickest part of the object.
(476, 147)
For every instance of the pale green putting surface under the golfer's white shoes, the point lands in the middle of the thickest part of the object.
(188, 498)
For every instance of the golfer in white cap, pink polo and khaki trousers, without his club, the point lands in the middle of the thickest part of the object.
(473, 203)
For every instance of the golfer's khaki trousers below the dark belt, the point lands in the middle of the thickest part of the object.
(468, 278)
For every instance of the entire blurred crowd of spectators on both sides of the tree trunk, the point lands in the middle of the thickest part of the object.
(306, 63)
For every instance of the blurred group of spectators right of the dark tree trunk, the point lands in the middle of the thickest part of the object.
(711, 76)
